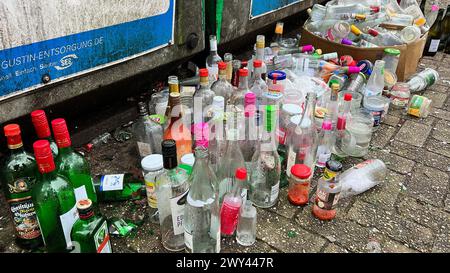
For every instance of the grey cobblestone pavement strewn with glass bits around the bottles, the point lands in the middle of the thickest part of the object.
(409, 212)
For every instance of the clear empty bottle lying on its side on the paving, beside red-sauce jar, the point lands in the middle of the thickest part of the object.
(362, 177)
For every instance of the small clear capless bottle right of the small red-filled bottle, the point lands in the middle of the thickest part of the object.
(246, 229)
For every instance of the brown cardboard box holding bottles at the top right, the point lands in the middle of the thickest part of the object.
(409, 57)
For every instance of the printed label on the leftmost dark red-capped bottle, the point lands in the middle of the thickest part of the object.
(24, 217)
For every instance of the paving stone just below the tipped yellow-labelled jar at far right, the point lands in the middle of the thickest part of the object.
(413, 133)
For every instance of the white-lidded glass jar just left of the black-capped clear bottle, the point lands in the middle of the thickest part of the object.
(152, 170)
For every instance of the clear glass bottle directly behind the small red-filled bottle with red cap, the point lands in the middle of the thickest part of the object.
(232, 160)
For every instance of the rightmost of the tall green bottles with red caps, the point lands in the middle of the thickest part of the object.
(72, 165)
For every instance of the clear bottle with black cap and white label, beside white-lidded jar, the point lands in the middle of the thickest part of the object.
(172, 194)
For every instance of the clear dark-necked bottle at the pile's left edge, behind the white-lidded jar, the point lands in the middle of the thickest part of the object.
(147, 132)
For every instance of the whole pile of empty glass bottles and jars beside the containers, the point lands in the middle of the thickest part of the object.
(214, 147)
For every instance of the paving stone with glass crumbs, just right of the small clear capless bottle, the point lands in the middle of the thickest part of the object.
(275, 230)
